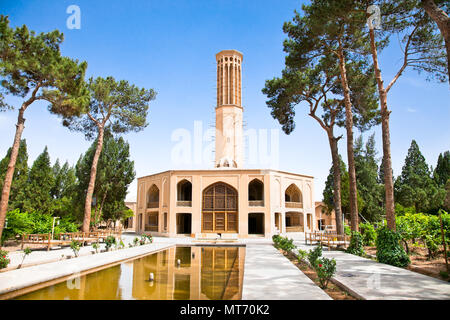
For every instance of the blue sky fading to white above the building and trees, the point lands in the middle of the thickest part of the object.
(171, 45)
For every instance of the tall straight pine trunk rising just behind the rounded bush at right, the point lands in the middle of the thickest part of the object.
(387, 162)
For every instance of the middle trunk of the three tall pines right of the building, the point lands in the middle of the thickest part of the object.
(350, 154)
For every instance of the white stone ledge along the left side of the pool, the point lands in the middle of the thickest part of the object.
(14, 282)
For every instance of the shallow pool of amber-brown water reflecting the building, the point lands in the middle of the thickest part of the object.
(203, 273)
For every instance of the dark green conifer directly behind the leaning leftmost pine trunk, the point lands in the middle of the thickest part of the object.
(20, 176)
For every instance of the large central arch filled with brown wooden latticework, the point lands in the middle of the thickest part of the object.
(220, 208)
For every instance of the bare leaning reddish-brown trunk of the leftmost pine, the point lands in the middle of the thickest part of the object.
(10, 170)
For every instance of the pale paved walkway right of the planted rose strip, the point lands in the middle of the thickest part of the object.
(371, 280)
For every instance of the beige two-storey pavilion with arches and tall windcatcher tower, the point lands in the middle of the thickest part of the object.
(227, 198)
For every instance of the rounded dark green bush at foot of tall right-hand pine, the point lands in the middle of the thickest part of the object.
(389, 250)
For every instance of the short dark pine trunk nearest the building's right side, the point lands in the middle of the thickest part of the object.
(337, 183)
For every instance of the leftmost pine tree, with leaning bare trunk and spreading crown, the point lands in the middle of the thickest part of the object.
(32, 68)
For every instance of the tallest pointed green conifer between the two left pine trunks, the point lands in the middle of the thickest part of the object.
(37, 194)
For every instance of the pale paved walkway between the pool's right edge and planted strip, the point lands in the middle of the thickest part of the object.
(268, 275)
